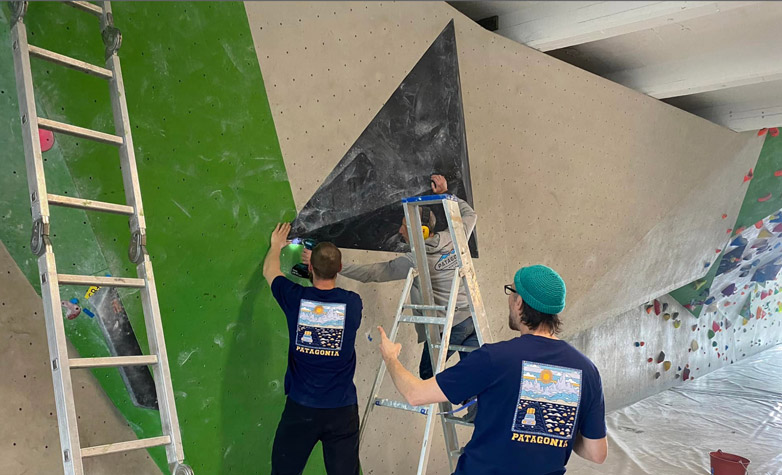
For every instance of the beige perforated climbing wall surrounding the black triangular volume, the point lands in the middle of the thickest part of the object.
(566, 169)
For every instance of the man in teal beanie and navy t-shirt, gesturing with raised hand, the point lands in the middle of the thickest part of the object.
(539, 398)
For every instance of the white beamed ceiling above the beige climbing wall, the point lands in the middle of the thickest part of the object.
(719, 60)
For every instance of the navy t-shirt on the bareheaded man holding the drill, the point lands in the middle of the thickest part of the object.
(322, 325)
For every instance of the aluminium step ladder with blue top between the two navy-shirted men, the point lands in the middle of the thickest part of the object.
(427, 314)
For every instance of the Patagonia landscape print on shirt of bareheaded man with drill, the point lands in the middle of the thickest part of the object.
(320, 328)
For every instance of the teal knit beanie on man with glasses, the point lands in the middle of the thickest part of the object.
(542, 288)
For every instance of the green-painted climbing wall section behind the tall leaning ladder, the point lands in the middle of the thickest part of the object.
(213, 184)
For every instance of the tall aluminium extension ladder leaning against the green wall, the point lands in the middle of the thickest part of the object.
(40, 200)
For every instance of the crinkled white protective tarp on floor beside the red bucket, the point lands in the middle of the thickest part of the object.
(737, 409)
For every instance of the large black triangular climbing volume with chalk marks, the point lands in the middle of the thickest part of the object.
(418, 132)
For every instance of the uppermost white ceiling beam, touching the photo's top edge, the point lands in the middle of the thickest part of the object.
(546, 26)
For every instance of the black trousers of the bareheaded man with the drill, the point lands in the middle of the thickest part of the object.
(302, 427)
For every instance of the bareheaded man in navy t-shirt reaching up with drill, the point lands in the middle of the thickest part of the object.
(322, 324)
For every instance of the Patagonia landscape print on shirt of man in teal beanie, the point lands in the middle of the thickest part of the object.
(548, 404)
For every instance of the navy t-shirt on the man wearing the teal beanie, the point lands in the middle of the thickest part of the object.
(534, 395)
